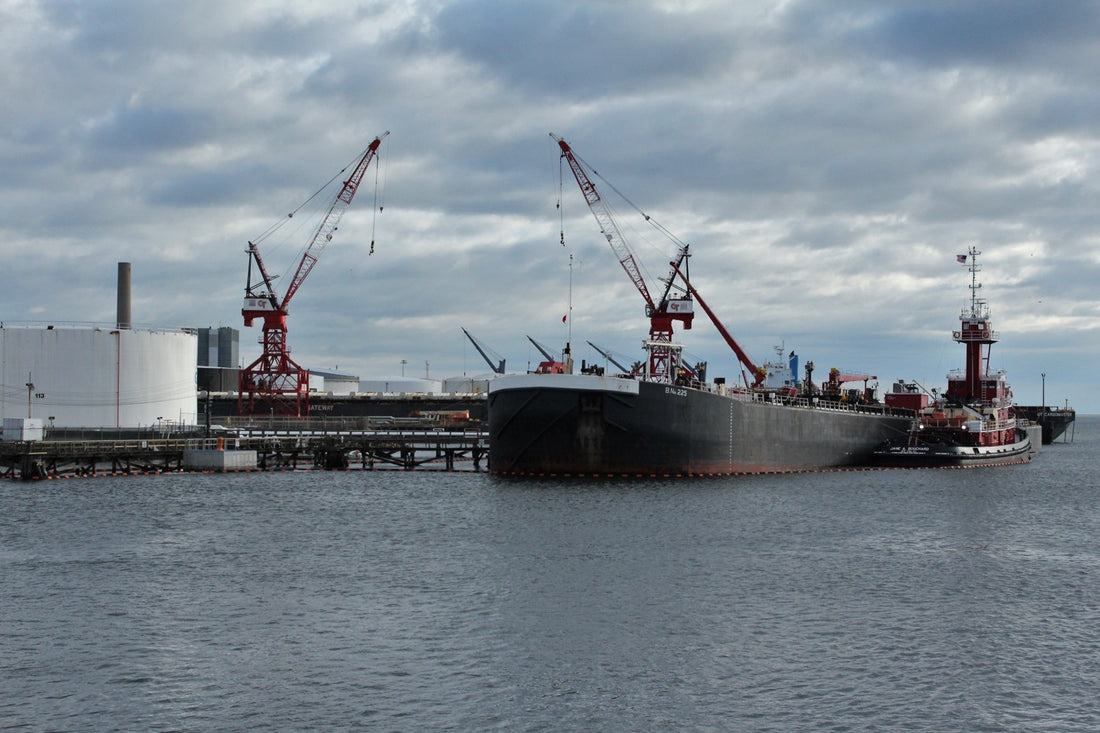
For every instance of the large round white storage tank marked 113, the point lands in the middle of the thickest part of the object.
(100, 377)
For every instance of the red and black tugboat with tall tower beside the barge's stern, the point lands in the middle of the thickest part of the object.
(974, 422)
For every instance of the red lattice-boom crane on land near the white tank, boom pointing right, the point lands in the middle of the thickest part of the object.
(274, 384)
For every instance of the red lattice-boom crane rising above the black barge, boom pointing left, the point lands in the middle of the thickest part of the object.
(663, 355)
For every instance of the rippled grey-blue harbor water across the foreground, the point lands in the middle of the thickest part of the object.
(923, 600)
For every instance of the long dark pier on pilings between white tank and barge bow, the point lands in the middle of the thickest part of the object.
(278, 445)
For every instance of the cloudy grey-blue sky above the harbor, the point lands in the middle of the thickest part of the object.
(827, 161)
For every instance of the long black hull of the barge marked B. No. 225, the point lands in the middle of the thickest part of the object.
(601, 425)
